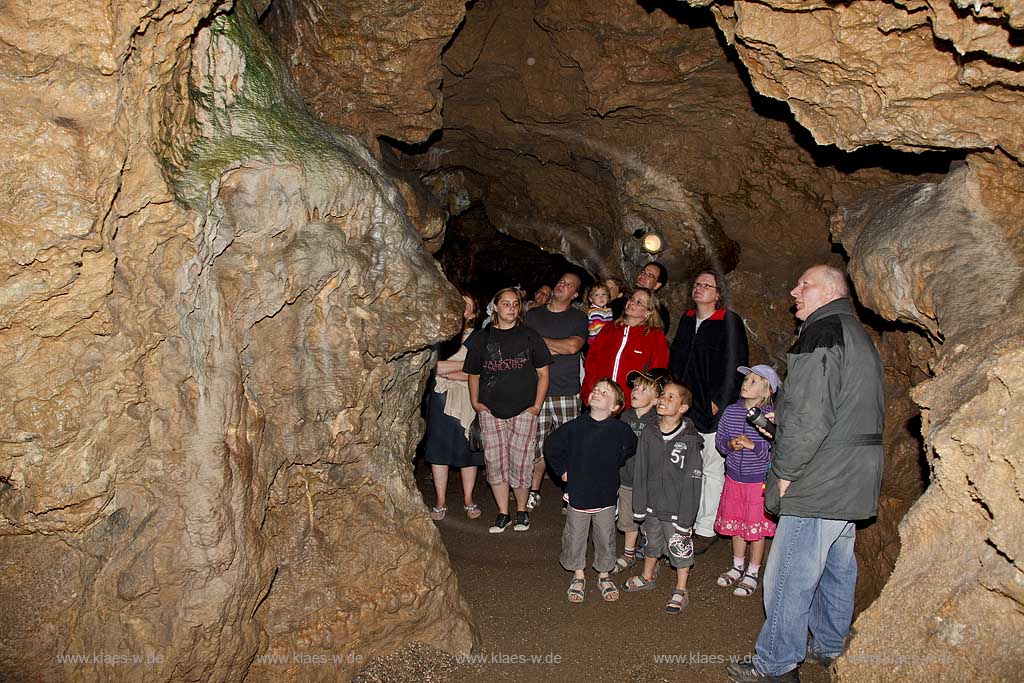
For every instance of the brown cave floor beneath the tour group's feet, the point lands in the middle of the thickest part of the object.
(517, 590)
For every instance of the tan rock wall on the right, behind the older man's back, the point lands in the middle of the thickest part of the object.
(937, 257)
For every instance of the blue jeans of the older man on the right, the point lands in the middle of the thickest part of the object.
(809, 582)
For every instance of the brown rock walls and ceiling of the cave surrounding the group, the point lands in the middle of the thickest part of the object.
(243, 224)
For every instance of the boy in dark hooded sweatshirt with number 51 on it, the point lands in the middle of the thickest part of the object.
(667, 493)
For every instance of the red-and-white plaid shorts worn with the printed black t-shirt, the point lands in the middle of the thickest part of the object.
(507, 448)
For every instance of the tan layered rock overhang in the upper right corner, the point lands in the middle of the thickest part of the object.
(914, 75)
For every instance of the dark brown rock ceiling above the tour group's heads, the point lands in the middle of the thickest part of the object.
(577, 124)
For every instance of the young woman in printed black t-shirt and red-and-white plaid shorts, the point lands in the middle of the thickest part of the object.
(507, 364)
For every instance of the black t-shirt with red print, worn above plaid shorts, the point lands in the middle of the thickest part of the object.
(507, 363)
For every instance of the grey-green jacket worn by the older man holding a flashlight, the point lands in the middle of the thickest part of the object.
(830, 418)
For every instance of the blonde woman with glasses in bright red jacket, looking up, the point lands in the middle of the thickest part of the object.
(635, 341)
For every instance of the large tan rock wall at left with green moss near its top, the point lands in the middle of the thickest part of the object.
(216, 309)
